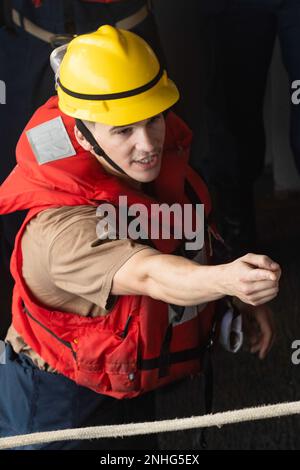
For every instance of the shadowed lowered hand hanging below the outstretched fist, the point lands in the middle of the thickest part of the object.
(258, 327)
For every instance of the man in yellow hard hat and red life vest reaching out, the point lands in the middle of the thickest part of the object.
(100, 321)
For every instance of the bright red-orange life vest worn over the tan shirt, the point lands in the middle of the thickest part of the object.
(142, 343)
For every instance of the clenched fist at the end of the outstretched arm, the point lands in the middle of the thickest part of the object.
(254, 279)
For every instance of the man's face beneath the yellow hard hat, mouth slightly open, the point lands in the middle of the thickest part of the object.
(136, 148)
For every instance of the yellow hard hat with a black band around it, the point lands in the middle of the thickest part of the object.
(112, 76)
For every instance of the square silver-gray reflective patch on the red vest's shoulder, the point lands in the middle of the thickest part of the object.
(50, 141)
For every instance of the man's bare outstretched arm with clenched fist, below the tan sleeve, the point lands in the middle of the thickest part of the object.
(252, 278)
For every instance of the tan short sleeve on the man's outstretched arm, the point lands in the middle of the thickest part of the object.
(82, 264)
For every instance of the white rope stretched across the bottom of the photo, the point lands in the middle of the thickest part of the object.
(123, 430)
